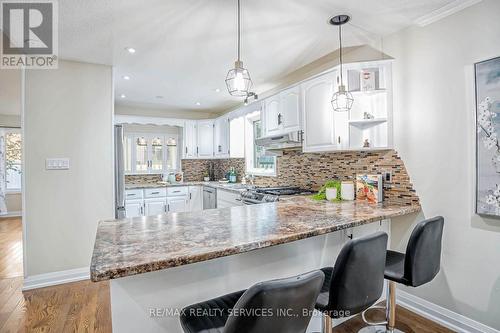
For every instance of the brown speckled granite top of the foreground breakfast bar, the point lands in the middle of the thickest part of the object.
(139, 245)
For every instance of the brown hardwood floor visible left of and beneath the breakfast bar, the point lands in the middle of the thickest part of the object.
(85, 306)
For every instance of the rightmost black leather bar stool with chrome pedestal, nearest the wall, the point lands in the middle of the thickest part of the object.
(419, 265)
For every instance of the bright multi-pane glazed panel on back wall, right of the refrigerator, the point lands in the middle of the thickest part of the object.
(150, 153)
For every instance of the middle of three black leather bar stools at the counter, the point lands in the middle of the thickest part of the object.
(356, 281)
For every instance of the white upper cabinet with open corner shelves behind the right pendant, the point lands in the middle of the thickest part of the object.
(367, 126)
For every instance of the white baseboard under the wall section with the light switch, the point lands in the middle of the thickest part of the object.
(55, 278)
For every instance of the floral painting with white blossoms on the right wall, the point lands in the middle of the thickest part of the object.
(488, 135)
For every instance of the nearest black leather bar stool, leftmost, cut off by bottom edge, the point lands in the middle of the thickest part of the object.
(278, 306)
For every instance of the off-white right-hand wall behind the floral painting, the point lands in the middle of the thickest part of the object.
(434, 133)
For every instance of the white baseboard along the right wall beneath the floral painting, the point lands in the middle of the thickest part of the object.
(438, 314)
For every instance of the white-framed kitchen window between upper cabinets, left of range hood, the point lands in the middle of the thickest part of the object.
(257, 162)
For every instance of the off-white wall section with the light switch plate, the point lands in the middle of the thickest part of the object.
(68, 113)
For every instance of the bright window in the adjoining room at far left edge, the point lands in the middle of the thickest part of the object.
(13, 146)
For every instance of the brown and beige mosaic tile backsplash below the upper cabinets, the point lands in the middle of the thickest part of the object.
(310, 171)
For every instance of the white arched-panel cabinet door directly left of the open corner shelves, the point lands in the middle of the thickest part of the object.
(319, 130)
